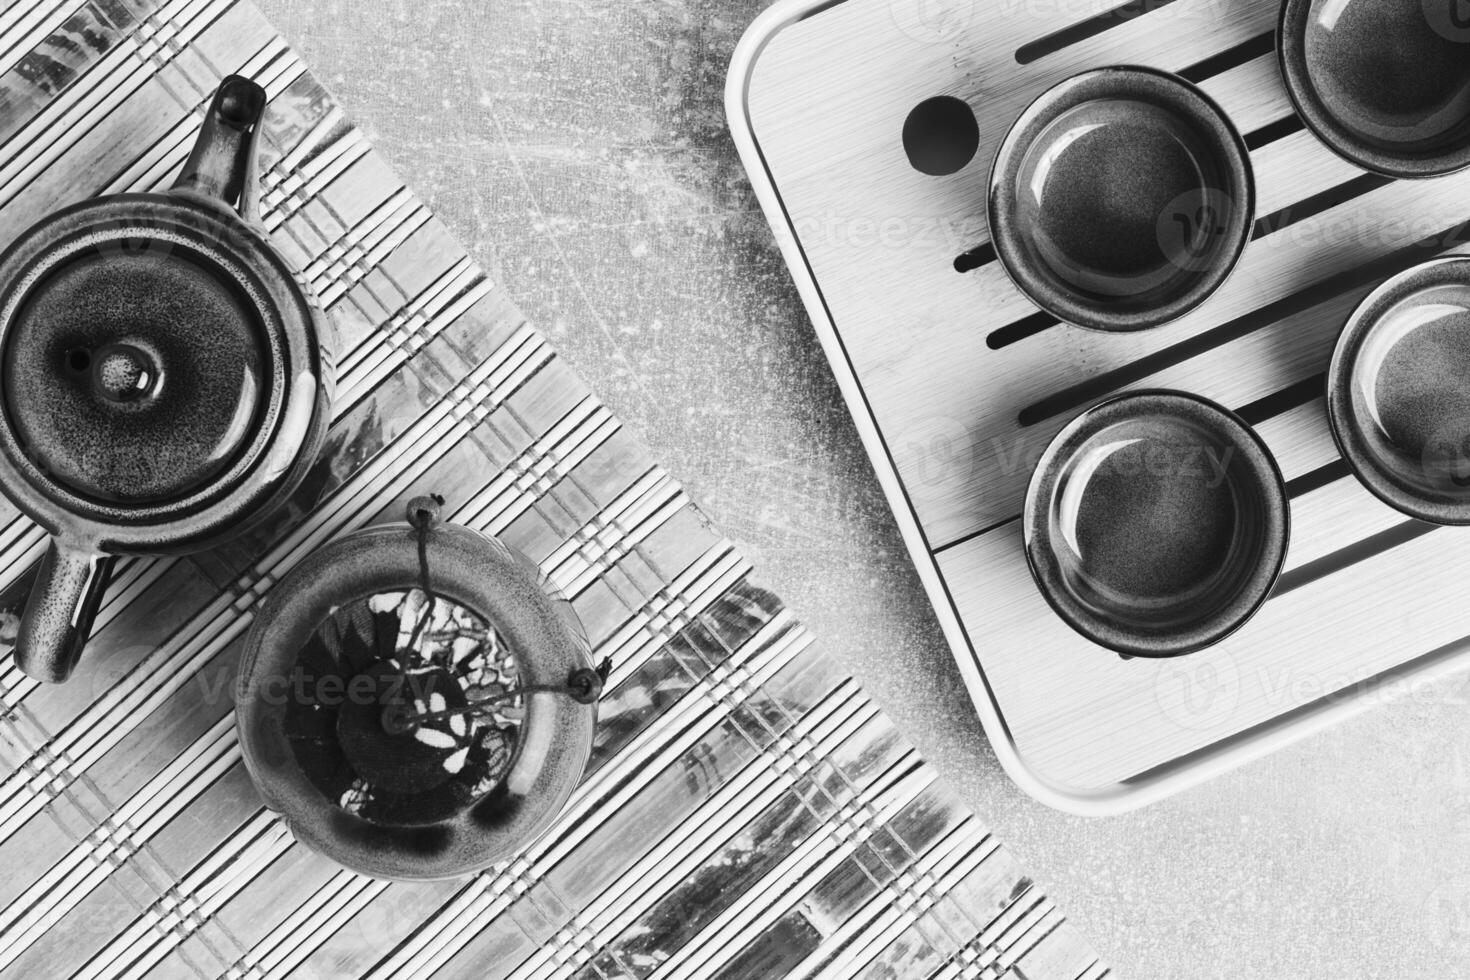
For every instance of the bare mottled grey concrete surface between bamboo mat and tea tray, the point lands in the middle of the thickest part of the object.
(578, 148)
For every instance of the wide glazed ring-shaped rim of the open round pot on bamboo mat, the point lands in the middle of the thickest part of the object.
(483, 575)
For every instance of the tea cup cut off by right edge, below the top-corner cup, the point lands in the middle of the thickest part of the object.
(1399, 392)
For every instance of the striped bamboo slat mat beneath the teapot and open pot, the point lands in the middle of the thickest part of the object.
(749, 812)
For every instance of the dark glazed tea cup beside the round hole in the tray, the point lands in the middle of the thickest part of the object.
(1121, 199)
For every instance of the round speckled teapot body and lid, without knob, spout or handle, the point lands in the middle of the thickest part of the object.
(183, 287)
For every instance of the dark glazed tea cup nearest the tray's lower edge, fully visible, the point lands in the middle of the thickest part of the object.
(1156, 524)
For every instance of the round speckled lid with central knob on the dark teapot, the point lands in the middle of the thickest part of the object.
(137, 371)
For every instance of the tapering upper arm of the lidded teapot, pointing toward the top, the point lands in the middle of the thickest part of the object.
(223, 164)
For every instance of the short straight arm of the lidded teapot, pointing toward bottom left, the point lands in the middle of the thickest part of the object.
(61, 610)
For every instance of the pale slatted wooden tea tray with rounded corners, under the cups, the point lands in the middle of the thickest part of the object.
(958, 383)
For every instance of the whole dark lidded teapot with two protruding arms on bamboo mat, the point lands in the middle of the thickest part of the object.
(165, 378)
